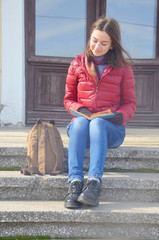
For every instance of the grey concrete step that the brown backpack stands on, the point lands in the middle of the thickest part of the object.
(116, 187)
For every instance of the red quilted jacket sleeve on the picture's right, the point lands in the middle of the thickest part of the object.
(128, 104)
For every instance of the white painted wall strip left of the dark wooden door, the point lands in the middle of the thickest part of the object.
(13, 68)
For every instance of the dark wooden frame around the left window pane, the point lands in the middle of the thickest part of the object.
(94, 9)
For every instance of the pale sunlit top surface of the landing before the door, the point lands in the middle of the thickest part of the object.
(148, 137)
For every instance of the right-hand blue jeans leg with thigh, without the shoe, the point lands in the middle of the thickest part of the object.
(103, 134)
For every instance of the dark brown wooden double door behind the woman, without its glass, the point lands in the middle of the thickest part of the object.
(46, 75)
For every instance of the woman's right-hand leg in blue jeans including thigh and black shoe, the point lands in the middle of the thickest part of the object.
(103, 134)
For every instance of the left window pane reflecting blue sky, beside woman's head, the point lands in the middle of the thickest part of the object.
(60, 27)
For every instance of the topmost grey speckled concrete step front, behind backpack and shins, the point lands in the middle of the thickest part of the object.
(124, 157)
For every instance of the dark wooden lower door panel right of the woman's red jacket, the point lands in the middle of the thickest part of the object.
(146, 88)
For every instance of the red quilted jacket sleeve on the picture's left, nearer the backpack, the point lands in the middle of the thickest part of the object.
(70, 98)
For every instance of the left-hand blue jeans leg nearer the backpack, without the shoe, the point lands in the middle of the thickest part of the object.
(78, 132)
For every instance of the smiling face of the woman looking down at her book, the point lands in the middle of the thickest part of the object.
(100, 43)
